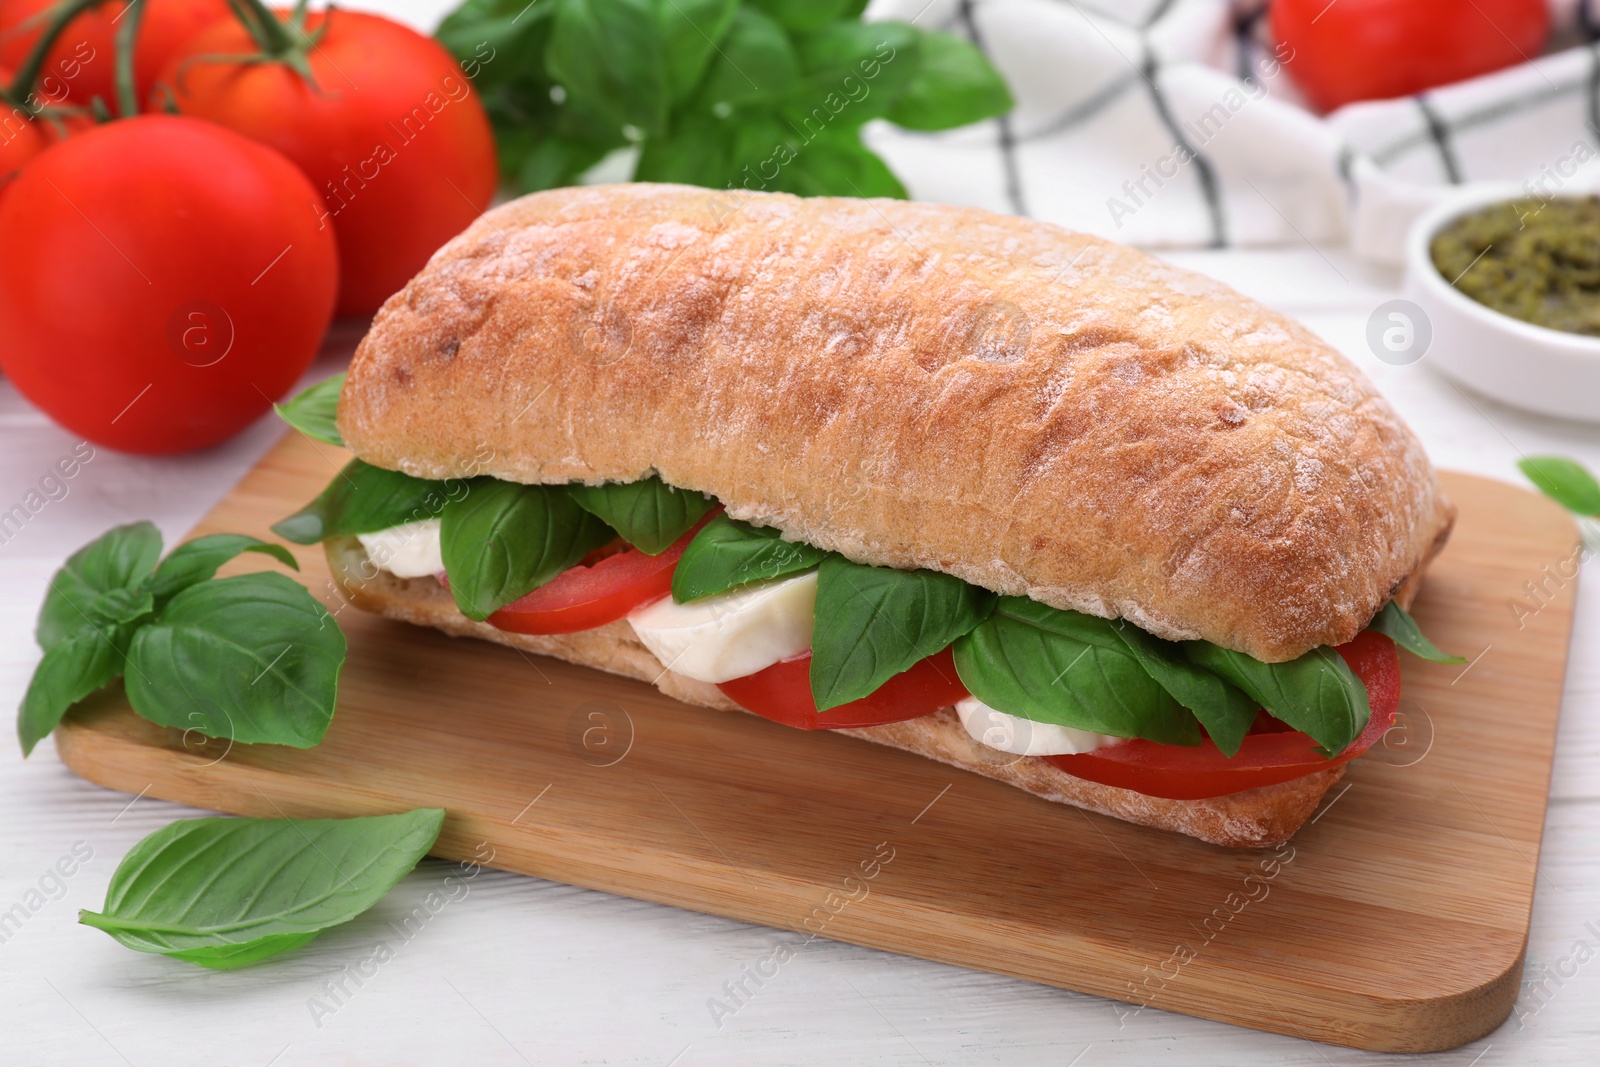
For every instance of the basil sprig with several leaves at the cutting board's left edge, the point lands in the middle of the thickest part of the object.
(250, 658)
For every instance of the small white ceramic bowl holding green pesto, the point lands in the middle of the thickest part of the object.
(1530, 367)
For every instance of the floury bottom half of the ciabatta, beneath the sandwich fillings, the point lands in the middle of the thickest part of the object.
(1257, 818)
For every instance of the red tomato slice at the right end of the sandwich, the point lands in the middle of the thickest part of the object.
(1266, 759)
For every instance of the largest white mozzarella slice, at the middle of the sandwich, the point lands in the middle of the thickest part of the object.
(734, 634)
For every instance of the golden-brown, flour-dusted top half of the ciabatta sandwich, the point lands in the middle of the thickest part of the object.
(1033, 410)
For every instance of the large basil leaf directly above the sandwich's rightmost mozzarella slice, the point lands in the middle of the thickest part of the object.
(1070, 669)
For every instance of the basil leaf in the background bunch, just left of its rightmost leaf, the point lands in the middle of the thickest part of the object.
(852, 73)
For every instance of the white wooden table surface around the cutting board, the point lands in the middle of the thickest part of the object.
(532, 972)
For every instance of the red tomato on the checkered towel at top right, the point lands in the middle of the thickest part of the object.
(1367, 50)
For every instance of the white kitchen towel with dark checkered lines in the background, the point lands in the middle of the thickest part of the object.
(1170, 124)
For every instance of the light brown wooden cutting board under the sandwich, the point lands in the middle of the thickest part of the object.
(1394, 921)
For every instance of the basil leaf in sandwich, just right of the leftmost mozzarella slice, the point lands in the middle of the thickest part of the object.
(503, 540)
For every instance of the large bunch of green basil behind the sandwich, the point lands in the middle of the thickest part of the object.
(764, 95)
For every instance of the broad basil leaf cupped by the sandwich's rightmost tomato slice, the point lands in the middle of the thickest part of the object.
(1316, 695)
